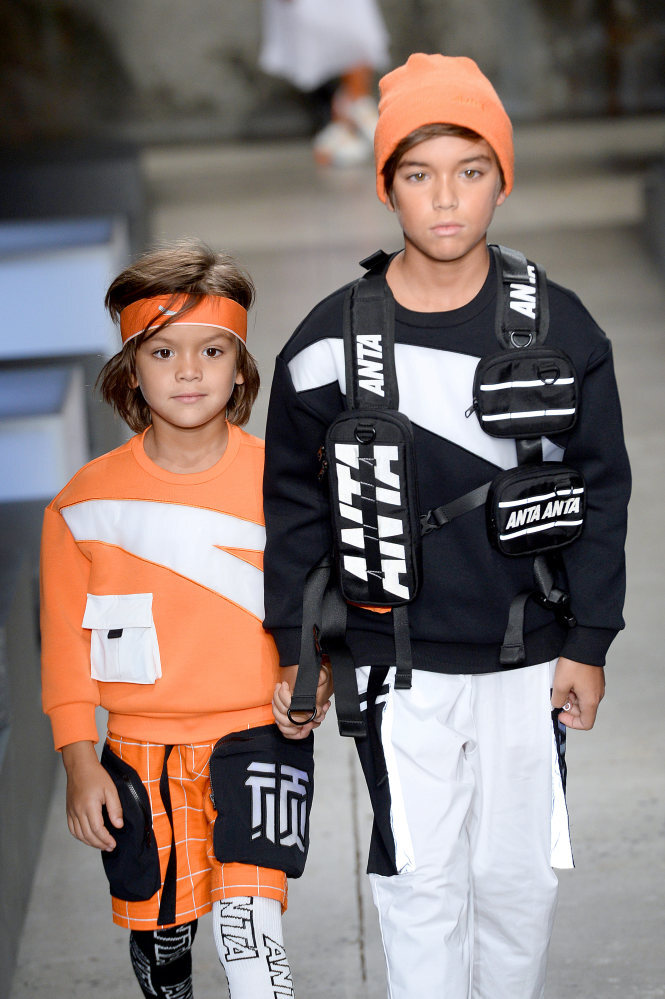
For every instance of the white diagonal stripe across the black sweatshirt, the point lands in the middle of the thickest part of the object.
(435, 391)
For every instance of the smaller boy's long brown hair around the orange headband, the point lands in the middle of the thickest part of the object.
(183, 267)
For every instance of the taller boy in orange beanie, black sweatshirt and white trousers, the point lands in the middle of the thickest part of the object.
(459, 765)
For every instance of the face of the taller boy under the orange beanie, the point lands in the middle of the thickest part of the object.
(444, 195)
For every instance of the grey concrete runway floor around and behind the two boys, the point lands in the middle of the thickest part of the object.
(577, 209)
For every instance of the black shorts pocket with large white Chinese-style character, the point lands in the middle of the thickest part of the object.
(262, 785)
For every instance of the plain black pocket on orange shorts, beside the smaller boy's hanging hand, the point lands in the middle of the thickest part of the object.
(132, 868)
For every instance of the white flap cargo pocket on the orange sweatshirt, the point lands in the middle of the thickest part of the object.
(123, 647)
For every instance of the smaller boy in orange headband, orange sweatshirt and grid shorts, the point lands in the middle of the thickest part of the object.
(152, 601)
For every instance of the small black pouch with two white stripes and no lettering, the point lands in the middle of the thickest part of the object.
(525, 393)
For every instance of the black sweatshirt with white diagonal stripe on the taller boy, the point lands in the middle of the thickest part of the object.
(459, 617)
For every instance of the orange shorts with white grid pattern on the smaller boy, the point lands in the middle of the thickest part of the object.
(201, 878)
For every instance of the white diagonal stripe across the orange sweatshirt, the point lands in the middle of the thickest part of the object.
(181, 538)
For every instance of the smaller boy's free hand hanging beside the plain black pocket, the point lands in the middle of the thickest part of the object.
(88, 788)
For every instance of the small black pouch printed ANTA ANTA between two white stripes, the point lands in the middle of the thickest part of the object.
(535, 508)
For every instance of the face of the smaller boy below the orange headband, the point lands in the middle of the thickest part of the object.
(187, 374)
